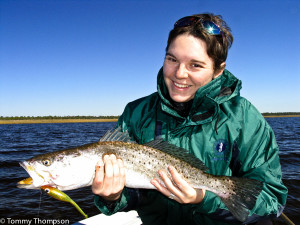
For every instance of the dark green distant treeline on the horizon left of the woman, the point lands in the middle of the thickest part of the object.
(55, 117)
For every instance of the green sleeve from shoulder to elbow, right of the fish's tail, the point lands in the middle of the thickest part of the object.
(259, 159)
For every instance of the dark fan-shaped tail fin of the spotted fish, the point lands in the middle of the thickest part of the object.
(244, 197)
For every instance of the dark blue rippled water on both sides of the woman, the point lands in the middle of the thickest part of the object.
(20, 142)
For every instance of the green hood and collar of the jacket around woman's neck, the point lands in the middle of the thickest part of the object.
(207, 98)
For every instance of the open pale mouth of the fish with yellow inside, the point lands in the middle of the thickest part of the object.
(34, 181)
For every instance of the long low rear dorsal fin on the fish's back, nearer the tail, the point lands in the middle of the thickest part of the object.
(177, 152)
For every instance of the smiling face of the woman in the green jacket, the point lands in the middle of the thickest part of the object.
(187, 67)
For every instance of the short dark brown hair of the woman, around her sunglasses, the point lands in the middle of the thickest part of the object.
(217, 45)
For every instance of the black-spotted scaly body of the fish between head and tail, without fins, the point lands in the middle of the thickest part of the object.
(134, 156)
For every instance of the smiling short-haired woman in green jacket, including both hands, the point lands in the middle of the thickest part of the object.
(198, 107)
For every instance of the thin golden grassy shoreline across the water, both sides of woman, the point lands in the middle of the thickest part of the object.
(33, 121)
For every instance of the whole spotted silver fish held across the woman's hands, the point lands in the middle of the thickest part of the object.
(75, 168)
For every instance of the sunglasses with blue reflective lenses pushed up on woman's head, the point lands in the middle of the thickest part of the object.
(209, 26)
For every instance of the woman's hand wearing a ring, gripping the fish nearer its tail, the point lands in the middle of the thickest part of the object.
(177, 188)
